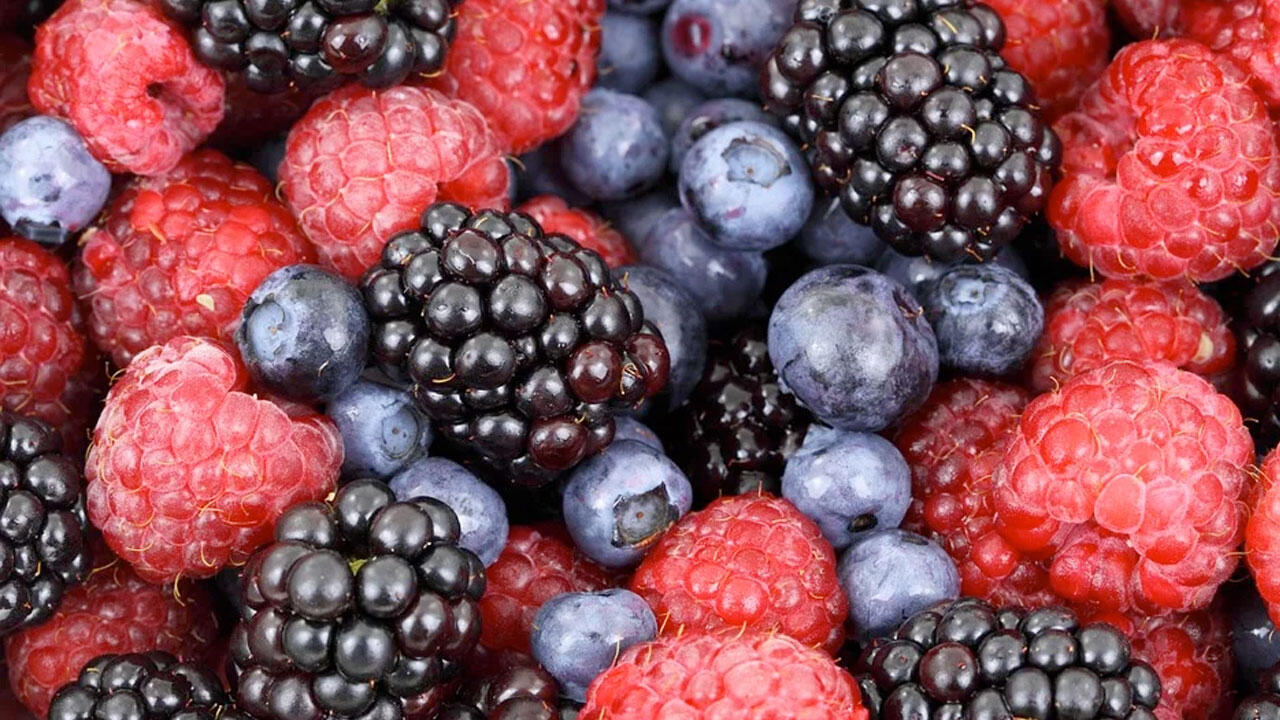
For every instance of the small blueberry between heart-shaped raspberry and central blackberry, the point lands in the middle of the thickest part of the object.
(382, 430)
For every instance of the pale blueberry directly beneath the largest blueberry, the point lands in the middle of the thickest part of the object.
(849, 484)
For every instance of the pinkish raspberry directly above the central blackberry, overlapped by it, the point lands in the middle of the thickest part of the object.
(363, 165)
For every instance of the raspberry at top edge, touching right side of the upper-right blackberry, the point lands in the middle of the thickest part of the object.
(1060, 45)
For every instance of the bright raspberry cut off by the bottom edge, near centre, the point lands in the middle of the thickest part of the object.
(721, 677)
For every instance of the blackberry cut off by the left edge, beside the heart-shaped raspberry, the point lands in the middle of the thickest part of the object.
(43, 523)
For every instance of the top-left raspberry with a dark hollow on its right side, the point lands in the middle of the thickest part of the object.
(127, 80)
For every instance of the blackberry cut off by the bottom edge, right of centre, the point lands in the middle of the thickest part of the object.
(964, 659)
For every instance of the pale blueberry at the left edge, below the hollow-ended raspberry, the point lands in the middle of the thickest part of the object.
(51, 185)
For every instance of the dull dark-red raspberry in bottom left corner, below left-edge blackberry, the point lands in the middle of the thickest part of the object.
(113, 612)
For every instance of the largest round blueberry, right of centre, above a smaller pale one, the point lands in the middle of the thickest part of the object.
(854, 348)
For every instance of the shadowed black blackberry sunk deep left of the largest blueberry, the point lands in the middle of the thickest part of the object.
(739, 427)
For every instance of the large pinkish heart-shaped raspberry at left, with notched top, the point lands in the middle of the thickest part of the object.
(189, 472)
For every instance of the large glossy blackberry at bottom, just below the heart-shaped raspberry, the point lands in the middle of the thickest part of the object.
(363, 608)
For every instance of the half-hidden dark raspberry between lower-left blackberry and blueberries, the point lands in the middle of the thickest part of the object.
(537, 566)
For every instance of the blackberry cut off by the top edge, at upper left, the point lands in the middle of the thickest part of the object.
(318, 44)
